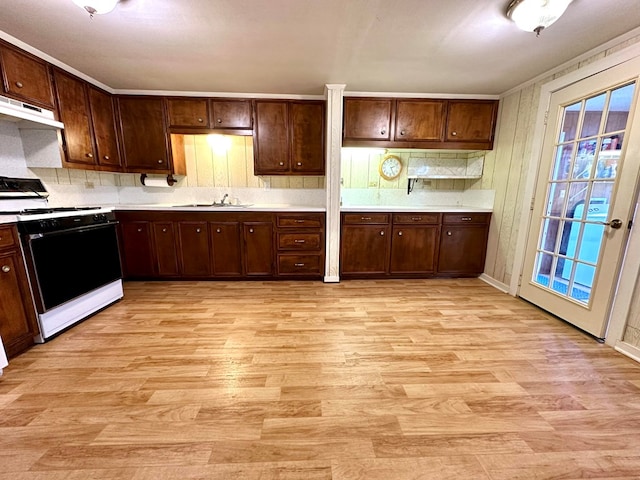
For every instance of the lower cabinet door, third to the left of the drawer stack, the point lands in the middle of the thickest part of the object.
(194, 249)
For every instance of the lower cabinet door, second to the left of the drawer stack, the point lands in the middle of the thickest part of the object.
(226, 248)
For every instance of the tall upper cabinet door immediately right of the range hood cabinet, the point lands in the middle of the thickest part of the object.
(73, 104)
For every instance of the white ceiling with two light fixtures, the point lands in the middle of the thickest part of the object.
(297, 46)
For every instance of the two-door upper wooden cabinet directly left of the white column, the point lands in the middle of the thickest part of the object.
(289, 137)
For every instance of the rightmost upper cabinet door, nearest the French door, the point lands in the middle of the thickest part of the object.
(471, 120)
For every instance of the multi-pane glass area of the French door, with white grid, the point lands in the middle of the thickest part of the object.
(581, 185)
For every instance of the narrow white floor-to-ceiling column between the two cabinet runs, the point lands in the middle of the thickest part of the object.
(334, 94)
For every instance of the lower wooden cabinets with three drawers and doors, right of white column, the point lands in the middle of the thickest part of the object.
(413, 245)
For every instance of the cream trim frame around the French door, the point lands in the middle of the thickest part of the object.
(631, 262)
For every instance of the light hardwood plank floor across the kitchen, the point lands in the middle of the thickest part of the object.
(394, 380)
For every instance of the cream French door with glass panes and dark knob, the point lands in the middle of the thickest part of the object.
(584, 198)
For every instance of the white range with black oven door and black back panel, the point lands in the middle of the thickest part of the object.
(72, 260)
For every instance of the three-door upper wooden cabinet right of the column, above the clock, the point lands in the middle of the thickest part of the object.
(419, 123)
